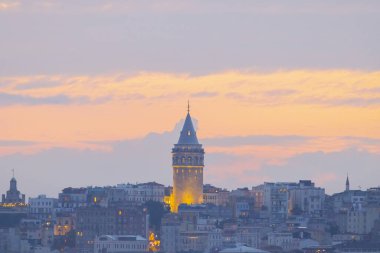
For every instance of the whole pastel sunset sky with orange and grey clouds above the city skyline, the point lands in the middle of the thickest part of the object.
(95, 92)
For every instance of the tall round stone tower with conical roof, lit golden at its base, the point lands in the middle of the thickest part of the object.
(188, 163)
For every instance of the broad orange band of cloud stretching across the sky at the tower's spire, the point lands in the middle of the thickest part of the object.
(110, 107)
